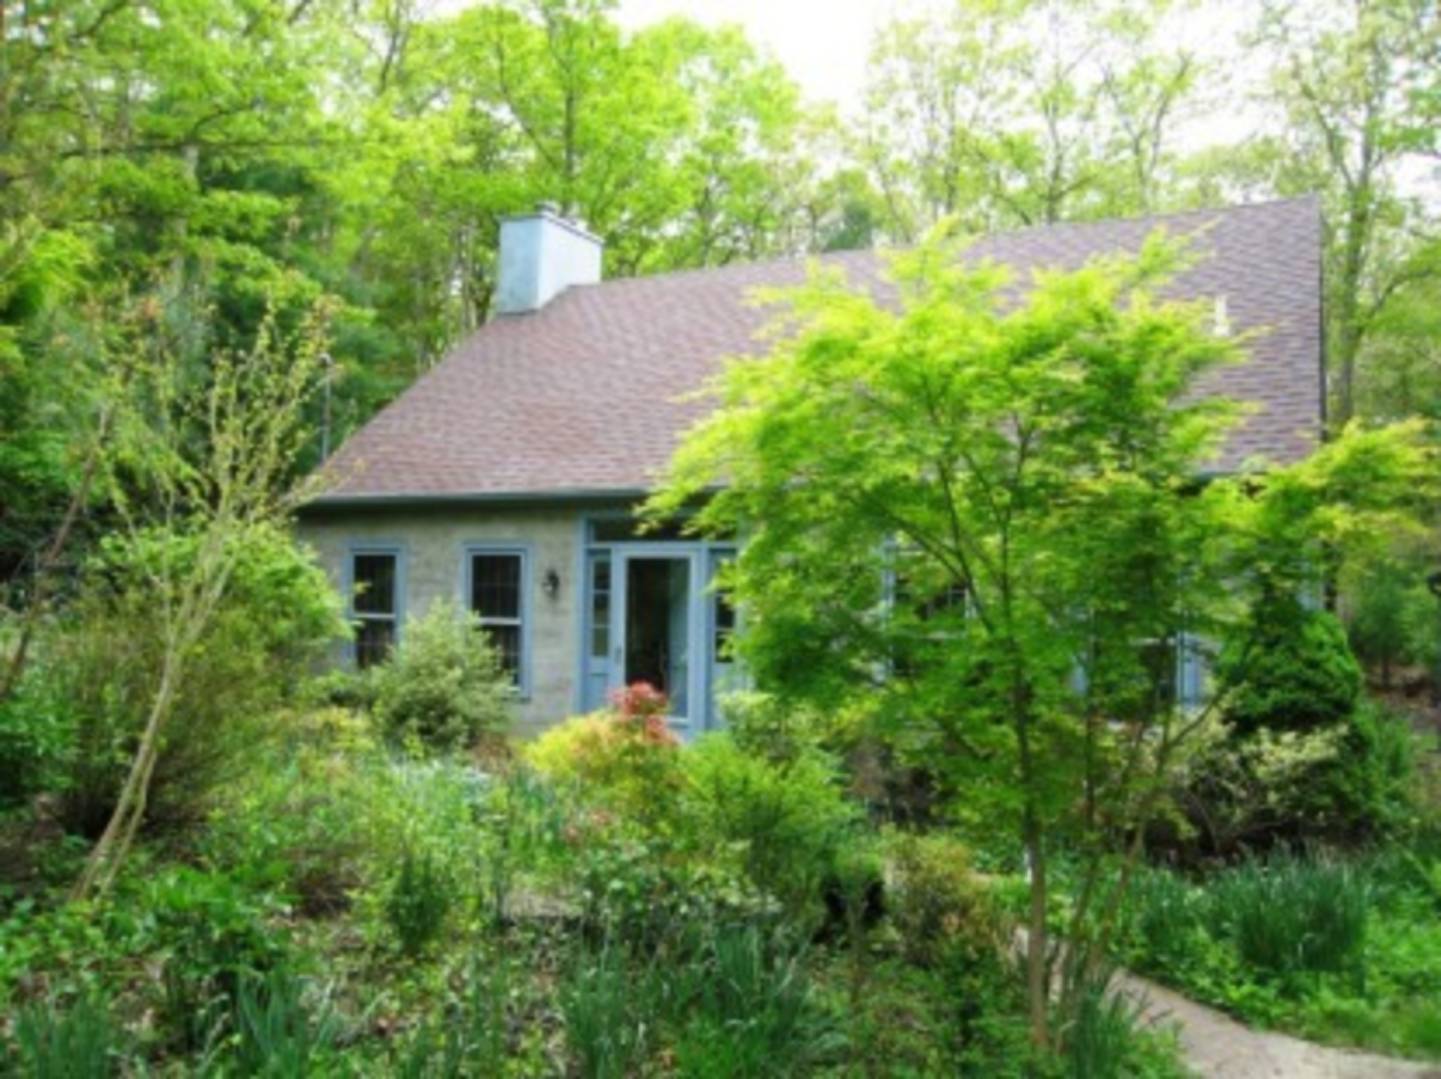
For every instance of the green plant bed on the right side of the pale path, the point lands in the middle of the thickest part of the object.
(1339, 949)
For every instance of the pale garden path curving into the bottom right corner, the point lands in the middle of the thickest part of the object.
(1220, 1048)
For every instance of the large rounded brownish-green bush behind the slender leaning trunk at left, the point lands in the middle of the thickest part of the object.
(97, 671)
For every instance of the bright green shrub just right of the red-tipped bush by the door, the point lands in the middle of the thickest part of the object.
(786, 822)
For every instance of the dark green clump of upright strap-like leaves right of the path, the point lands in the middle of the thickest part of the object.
(1292, 915)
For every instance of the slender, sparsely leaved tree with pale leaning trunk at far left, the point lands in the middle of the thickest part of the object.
(249, 427)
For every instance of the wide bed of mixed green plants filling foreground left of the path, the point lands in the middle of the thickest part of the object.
(358, 905)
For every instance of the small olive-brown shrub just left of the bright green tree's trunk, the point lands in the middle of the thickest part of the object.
(942, 907)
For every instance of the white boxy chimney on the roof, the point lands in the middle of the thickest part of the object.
(541, 256)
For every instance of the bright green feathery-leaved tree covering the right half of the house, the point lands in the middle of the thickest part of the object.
(978, 524)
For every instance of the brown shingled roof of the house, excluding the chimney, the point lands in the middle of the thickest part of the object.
(586, 395)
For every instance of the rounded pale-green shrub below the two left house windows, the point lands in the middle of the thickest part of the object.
(443, 686)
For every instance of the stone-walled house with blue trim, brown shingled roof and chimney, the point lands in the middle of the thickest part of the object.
(505, 478)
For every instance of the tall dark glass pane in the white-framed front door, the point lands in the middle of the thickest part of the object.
(658, 627)
